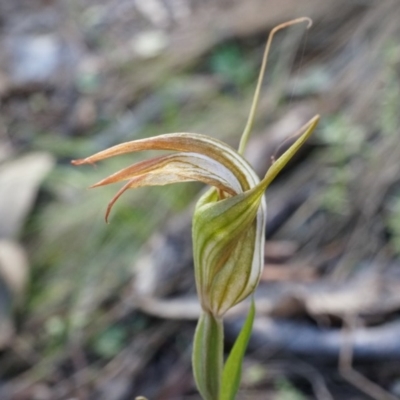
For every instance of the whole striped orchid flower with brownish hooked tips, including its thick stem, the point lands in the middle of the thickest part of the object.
(228, 223)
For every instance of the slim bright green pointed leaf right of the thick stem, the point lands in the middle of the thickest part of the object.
(232, 371)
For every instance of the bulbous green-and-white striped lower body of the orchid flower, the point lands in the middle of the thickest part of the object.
(227, 246)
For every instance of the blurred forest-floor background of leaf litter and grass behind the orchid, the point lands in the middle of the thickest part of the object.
(96, 311)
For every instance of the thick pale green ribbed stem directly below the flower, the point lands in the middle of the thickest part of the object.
(208, 349)
